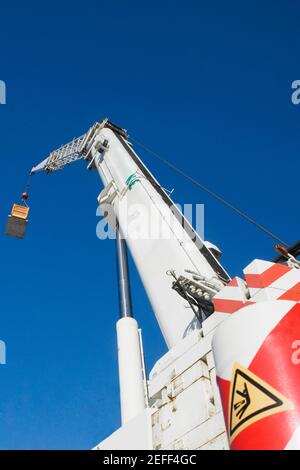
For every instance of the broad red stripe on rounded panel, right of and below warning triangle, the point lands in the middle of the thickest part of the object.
(273, 364)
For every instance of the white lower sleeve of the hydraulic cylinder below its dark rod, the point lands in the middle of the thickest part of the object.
(132, 388)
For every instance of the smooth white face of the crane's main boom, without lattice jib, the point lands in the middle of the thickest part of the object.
(154, 253)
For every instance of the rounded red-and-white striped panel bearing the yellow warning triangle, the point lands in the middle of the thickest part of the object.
(261, 339)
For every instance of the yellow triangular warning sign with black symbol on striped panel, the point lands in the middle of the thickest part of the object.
(251, 399)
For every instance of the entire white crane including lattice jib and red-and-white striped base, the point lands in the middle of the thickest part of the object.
(205, 392)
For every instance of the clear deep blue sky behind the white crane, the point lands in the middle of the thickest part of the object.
(205, 84)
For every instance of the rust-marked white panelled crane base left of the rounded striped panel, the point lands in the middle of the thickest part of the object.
(185, 407)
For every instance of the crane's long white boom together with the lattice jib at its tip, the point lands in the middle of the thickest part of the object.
(141, 206)
